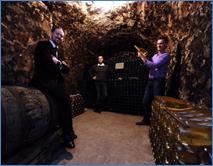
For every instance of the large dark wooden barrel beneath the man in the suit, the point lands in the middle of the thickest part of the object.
(27, 115)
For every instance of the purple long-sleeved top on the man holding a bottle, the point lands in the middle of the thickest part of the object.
(158, 65)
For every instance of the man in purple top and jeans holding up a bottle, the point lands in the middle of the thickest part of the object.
(156, 83)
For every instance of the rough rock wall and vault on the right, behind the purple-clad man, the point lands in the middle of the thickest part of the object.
(188, 27)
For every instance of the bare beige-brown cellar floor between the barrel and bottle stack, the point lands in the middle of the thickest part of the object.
(107, 138)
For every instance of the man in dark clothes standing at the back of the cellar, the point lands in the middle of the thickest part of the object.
(99, 74)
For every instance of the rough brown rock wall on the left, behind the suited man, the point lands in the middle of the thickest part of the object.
(24, 24)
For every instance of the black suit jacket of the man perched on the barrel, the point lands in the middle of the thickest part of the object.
(46, 72)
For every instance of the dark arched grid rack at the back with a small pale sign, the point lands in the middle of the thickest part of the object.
(126, 94)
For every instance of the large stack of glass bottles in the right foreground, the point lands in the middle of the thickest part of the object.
(180, 133)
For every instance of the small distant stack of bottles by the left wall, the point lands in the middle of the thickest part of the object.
(77, 103)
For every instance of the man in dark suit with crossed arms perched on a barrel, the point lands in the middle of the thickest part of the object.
(49, 67)
